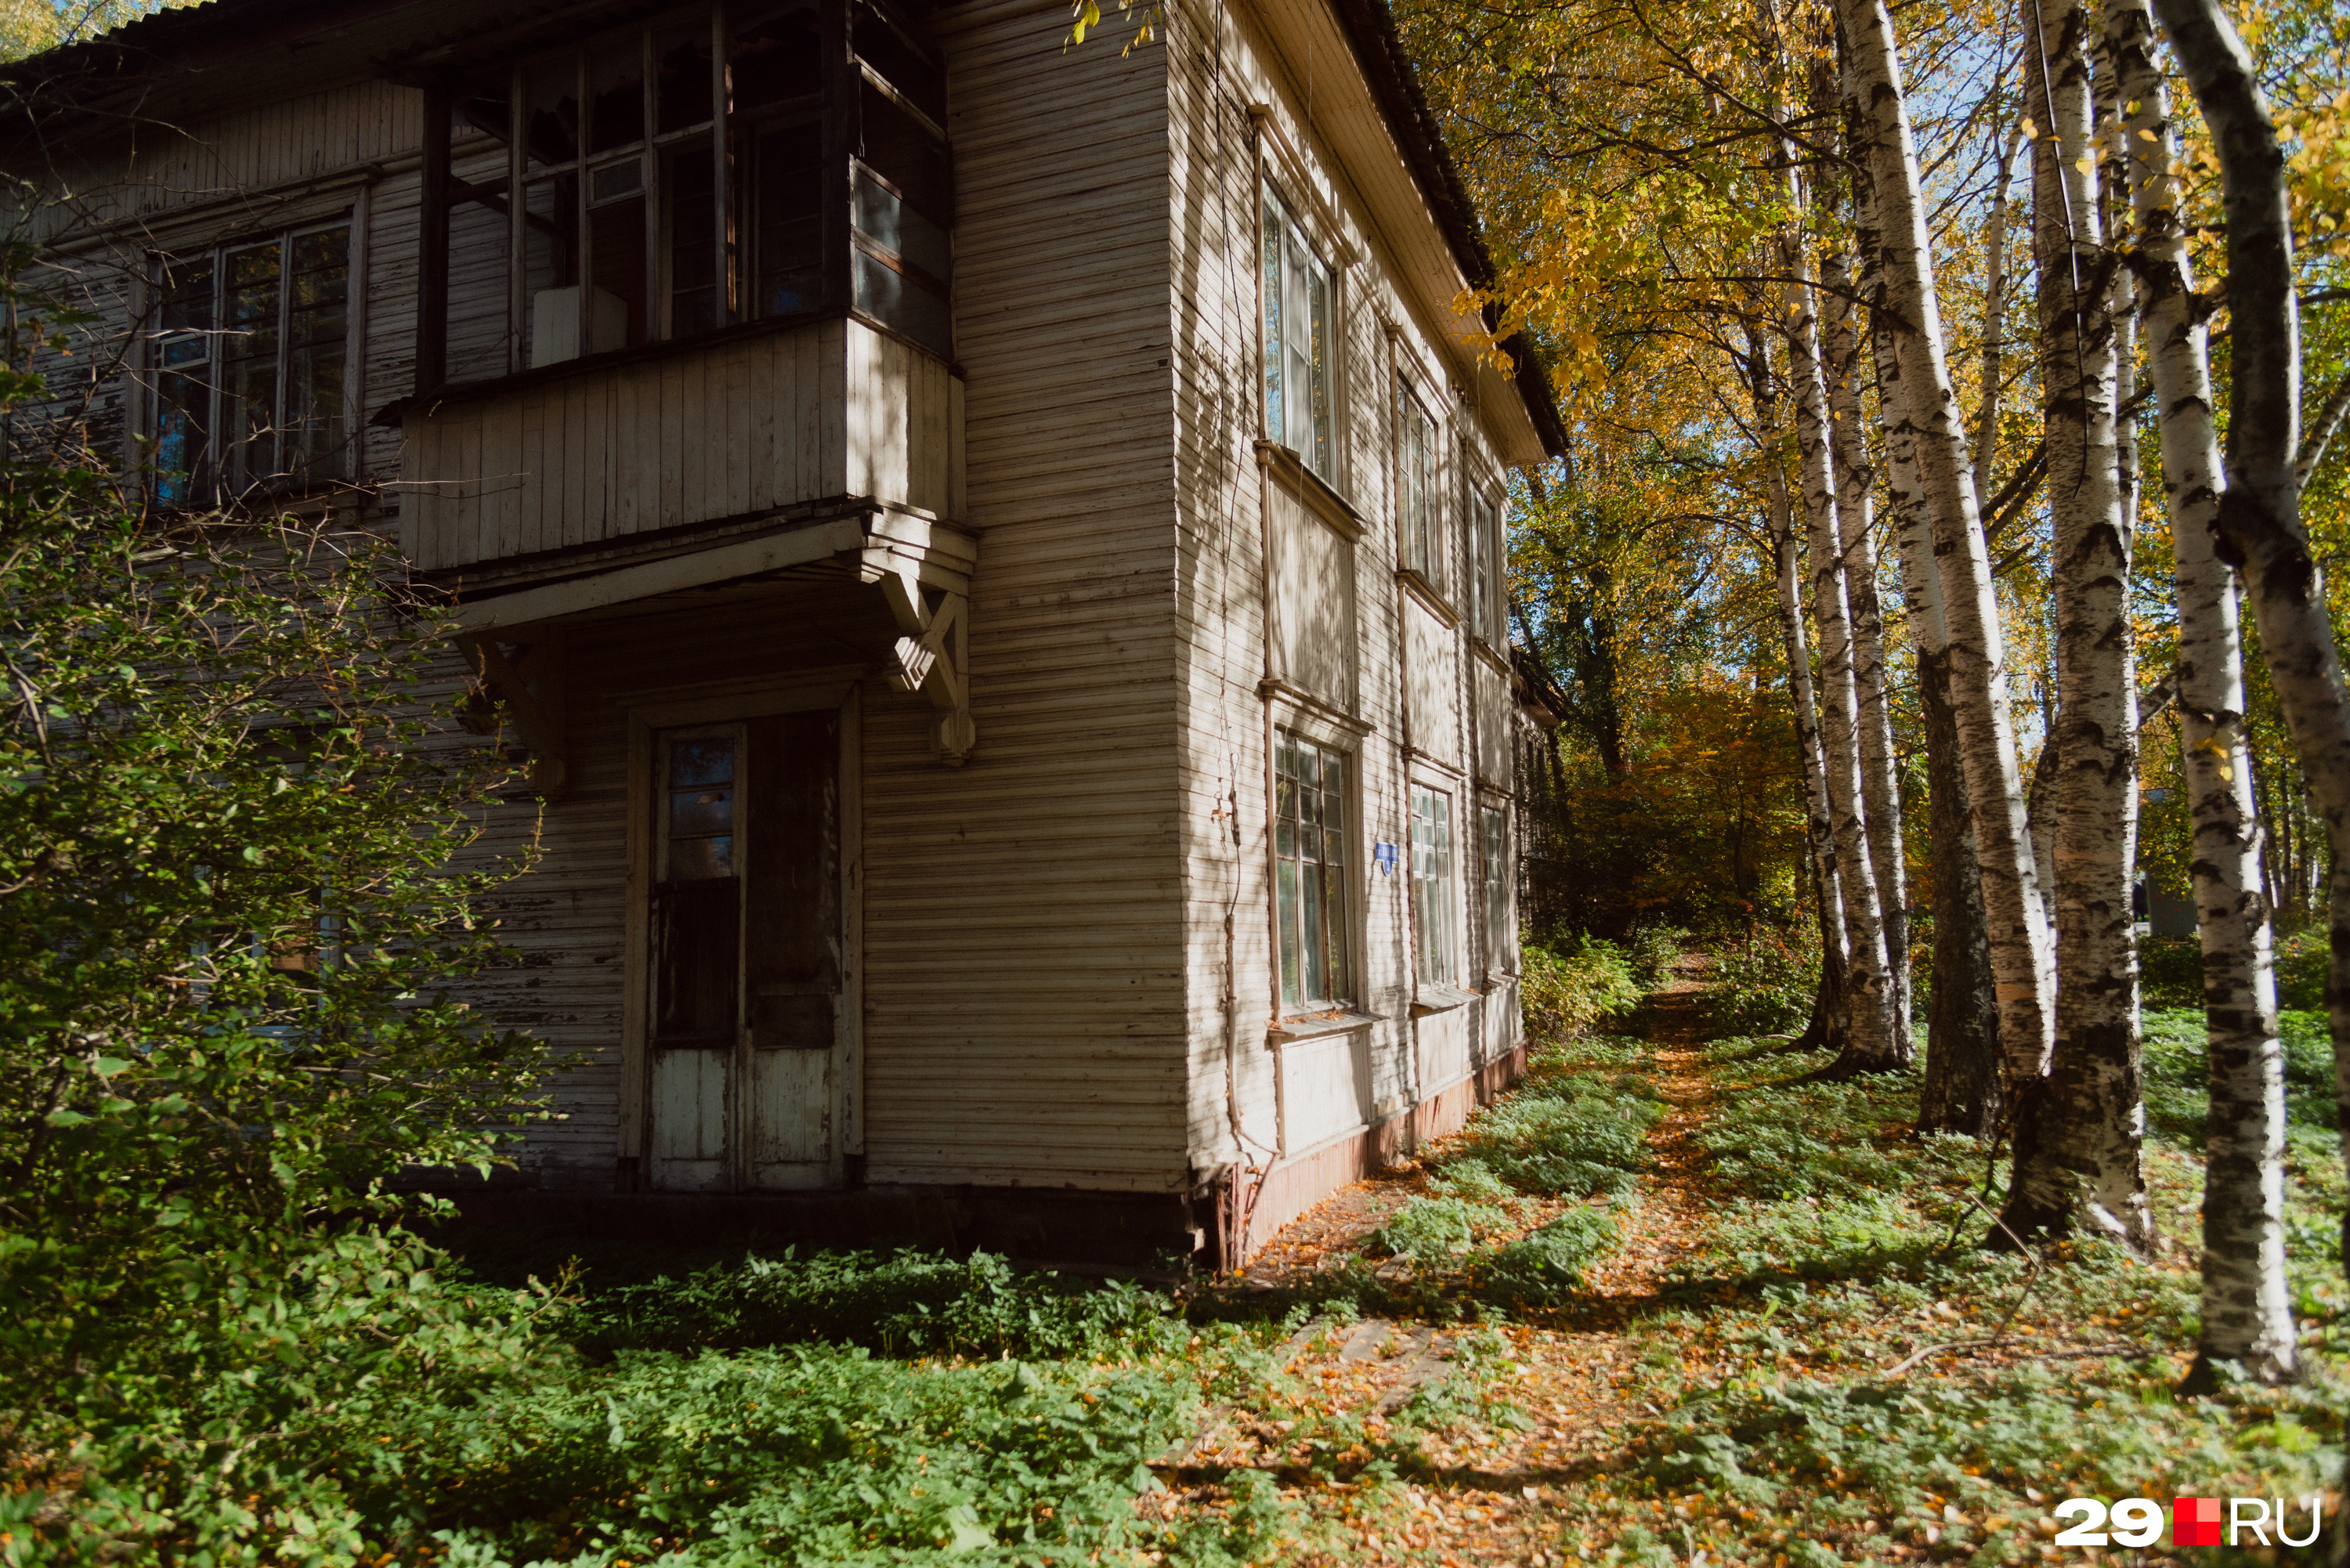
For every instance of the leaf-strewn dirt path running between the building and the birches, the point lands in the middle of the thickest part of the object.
(1578, 1376)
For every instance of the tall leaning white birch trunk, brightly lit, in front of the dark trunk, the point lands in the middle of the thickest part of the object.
(2020, 949)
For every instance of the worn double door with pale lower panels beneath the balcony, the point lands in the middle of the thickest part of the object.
(746, 953)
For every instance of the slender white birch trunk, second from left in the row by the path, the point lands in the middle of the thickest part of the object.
(1867, 1003)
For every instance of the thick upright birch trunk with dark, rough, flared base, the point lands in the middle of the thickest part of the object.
(2081, 1130)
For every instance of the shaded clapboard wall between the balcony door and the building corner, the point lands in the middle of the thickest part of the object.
(1023, 967)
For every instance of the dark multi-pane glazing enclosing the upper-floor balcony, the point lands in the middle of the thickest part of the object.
(699, 187)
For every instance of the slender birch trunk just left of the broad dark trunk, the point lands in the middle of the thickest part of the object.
(1881, 784)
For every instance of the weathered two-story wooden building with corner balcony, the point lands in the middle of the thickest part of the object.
(995, 551)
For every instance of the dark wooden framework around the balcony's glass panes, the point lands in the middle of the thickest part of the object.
(847, 81)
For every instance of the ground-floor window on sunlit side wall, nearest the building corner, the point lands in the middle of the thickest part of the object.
(1310, 871)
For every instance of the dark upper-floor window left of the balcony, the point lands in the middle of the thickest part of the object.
(250, 354)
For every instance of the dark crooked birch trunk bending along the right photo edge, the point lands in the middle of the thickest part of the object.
(2260, 511)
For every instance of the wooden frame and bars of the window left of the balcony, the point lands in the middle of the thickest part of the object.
(210, 483)
